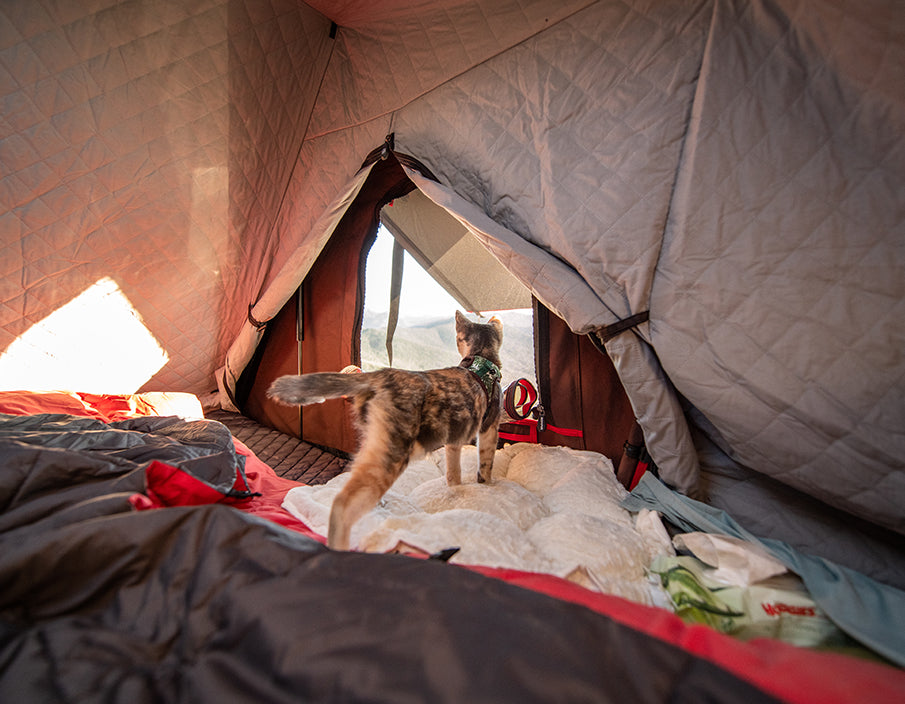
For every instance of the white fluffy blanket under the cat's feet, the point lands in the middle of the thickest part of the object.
(550, 509)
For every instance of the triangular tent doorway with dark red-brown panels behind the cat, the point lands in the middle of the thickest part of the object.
(338, 317)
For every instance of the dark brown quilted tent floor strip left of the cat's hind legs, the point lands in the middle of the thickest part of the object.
(288, 456)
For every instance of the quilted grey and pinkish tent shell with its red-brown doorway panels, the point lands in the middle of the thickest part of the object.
(701, 202)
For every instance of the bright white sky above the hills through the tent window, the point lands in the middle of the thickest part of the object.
(421, 295)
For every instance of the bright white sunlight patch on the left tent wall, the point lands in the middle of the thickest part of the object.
(96, 343)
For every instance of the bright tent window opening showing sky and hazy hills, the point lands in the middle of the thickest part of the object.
(425, 333)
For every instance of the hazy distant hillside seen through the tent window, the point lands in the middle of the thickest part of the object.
(433, 345)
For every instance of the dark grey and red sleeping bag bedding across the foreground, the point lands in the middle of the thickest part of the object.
(194, 600)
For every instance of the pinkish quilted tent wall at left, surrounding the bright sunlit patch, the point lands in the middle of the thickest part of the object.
(149, 143)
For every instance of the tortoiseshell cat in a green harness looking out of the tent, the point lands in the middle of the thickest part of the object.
(404, 414)
